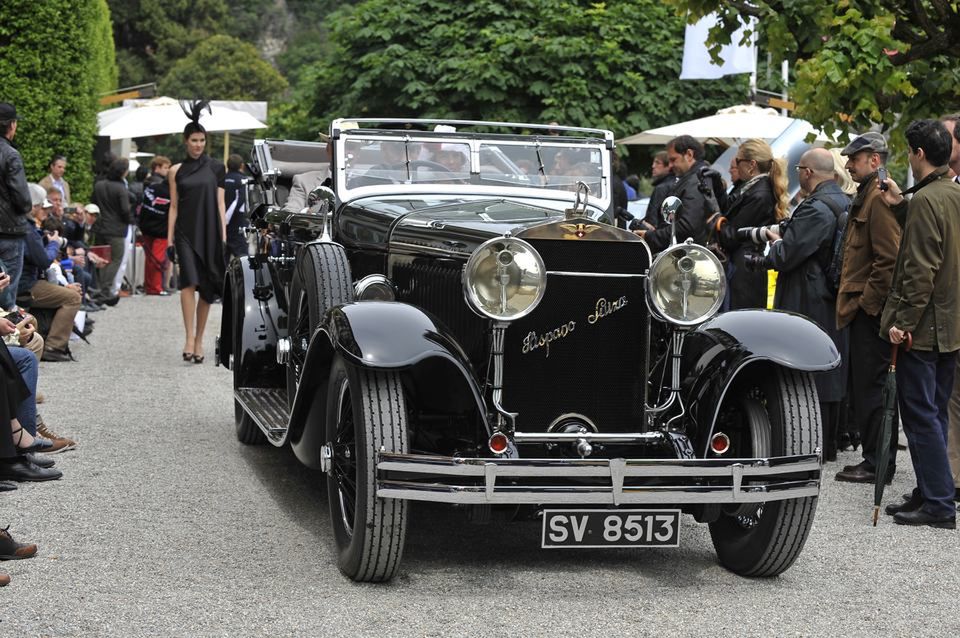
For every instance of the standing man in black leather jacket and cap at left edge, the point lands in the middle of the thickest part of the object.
(15, 203)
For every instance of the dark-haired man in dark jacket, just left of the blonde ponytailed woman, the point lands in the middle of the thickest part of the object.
(696, 193)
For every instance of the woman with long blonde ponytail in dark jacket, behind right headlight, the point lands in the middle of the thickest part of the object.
(760, 201)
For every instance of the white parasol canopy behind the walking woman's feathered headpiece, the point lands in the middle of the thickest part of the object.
(163, 116)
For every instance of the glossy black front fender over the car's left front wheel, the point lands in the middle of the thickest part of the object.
(379, 335)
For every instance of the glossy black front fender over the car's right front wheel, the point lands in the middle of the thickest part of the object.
(718, 350)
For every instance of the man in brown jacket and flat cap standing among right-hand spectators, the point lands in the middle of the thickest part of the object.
(870, 245)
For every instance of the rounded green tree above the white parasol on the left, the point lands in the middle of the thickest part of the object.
(223, 68)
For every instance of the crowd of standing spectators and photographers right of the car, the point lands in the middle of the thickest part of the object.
(870, 266)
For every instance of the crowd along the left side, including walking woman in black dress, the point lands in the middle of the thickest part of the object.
(60, 258)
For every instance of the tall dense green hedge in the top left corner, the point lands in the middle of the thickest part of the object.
(56, 59)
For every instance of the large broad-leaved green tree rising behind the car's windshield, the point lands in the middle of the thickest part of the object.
(613, 64)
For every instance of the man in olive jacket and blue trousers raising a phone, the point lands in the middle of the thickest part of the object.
(925, 302)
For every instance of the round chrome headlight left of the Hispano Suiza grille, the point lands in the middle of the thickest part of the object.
(504, 279)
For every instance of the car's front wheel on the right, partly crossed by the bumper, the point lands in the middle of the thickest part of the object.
(765, 540)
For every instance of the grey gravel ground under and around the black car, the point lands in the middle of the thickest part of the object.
(165, 525)
